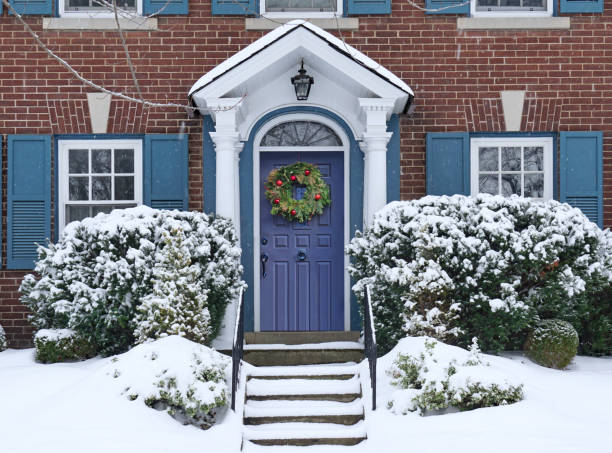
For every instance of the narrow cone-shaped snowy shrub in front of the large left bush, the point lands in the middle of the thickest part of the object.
(178, 304)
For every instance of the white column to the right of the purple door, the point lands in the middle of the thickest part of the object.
(375, 113)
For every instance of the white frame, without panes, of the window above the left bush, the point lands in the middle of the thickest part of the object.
(62, 183)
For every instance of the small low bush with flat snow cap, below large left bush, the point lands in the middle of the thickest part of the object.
(61, 345)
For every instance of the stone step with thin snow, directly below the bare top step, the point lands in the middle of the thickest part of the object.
(304, 354)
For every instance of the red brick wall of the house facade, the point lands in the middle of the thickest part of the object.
(457, 77)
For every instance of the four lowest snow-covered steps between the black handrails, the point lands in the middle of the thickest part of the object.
(304, 405)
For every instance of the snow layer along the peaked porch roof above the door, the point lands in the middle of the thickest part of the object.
(279, 33)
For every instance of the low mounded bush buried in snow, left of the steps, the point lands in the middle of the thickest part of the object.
(186, 379)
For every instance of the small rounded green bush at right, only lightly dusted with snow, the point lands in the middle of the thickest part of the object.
(552, 343)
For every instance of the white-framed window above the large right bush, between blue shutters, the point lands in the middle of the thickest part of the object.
(512, 166)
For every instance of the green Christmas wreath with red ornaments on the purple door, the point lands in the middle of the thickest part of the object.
(279, 190)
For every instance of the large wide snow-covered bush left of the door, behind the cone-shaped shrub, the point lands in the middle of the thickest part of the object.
(95, 277)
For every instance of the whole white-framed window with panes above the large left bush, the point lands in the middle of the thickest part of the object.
(98, 176)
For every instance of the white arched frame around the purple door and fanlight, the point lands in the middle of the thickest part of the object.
(345, 148)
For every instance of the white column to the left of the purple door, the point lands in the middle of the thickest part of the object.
(226, 113)
